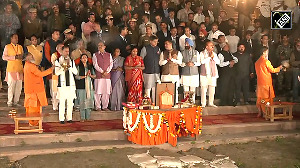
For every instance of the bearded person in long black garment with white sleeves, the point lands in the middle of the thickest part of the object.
(226, 80)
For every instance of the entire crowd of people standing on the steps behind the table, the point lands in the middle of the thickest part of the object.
(96, 54)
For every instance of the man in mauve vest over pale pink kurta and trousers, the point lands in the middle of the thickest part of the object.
(103, 64)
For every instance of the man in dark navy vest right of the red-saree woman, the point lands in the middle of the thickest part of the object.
(150, 53)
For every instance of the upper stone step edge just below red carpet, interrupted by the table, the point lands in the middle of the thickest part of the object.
(113, 135)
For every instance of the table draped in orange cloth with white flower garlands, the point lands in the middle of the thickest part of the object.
(153, 127)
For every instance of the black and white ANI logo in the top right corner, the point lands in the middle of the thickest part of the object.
(281, 20)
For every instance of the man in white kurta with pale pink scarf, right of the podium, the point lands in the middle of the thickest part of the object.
(208, 74)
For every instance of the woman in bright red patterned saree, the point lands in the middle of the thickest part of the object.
(134, 66)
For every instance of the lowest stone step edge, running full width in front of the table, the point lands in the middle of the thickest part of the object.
(19, 152)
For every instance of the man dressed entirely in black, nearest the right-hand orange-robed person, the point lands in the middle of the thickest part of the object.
(244, 70)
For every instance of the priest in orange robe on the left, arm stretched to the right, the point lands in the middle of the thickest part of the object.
(35, 95)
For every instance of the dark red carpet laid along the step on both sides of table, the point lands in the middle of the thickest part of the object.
(104, 125)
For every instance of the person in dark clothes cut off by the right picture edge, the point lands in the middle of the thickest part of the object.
(295, 62)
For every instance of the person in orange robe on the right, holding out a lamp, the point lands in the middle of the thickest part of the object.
(264, 90)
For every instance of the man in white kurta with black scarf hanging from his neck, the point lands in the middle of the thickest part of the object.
(65, 70)
